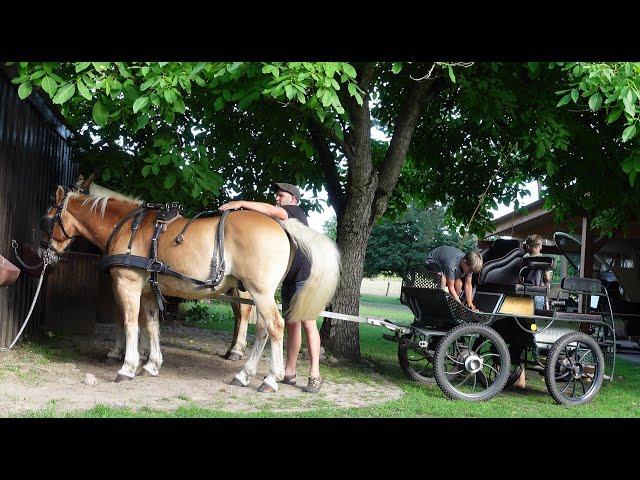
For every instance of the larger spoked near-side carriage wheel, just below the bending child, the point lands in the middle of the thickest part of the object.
(472, 363)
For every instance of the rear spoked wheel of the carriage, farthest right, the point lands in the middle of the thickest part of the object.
(574, 369)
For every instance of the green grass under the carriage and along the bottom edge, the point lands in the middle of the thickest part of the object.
(618, 399)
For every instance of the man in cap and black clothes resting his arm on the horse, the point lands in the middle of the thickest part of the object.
(287, 200)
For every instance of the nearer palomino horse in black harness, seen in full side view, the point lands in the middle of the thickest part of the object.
(258, 251)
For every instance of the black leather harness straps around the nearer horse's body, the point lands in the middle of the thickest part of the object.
(166, 214)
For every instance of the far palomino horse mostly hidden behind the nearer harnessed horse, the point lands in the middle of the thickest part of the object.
(243, 314)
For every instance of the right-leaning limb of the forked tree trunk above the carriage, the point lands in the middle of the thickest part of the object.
(389, 170)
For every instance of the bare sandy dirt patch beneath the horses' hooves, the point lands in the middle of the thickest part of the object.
(193, 372)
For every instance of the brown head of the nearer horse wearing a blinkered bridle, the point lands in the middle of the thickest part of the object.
(58, 226)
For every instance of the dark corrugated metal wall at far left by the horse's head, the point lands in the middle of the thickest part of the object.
(35, 157)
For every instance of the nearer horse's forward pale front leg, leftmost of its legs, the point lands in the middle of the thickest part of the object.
(128, 288)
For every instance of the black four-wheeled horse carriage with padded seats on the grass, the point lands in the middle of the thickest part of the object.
(473, 355)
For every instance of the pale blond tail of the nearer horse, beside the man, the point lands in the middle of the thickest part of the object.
(323, 279)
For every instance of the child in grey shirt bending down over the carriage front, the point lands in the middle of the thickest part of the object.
(453, 264)
